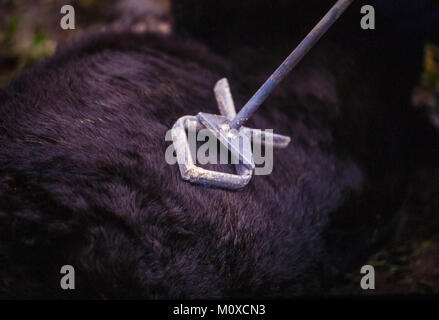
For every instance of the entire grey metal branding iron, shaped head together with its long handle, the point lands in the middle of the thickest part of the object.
(228, 127)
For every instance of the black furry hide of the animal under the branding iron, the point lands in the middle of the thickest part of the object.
(83, 179)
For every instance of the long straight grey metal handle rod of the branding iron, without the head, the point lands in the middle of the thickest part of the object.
(293, 59)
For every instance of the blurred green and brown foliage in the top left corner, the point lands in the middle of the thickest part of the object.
(27, 36)
